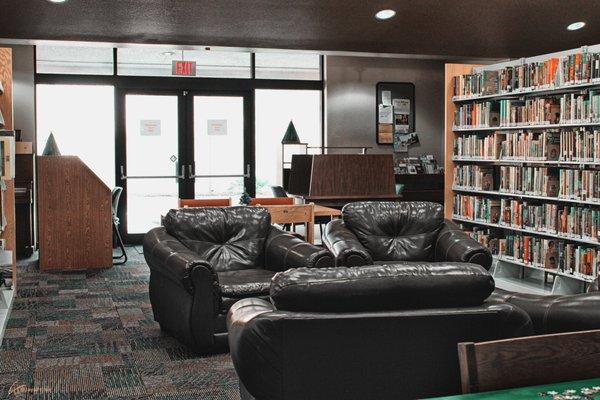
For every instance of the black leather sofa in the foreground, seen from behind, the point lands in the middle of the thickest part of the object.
(376, 332)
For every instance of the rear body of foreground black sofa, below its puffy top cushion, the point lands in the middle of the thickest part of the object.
(408, 354)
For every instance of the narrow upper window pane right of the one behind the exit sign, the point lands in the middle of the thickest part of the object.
(288, 66)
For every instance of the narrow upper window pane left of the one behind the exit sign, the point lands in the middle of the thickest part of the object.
(74, 60)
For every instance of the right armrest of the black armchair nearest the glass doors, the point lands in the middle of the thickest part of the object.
(284, 250)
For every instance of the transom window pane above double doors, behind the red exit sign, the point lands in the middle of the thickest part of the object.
(148, 61)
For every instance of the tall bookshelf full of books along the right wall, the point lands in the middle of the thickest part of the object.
(550, 99)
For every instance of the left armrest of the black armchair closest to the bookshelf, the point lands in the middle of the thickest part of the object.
(345, 246)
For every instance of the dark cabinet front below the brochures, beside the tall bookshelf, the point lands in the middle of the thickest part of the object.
(422, 187)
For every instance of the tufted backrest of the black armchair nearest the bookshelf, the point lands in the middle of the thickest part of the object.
(395, 231)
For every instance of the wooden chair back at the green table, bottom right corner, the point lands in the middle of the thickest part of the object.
(529, 361)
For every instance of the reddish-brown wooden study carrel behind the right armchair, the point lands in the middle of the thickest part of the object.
(336, 179)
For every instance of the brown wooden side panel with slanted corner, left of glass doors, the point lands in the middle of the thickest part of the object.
(74, 208)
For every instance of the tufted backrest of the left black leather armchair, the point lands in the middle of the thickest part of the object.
(229, 238)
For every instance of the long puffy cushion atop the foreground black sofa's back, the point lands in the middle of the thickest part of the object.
(400, 286)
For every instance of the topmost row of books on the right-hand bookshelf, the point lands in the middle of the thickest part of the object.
(582, 67)
